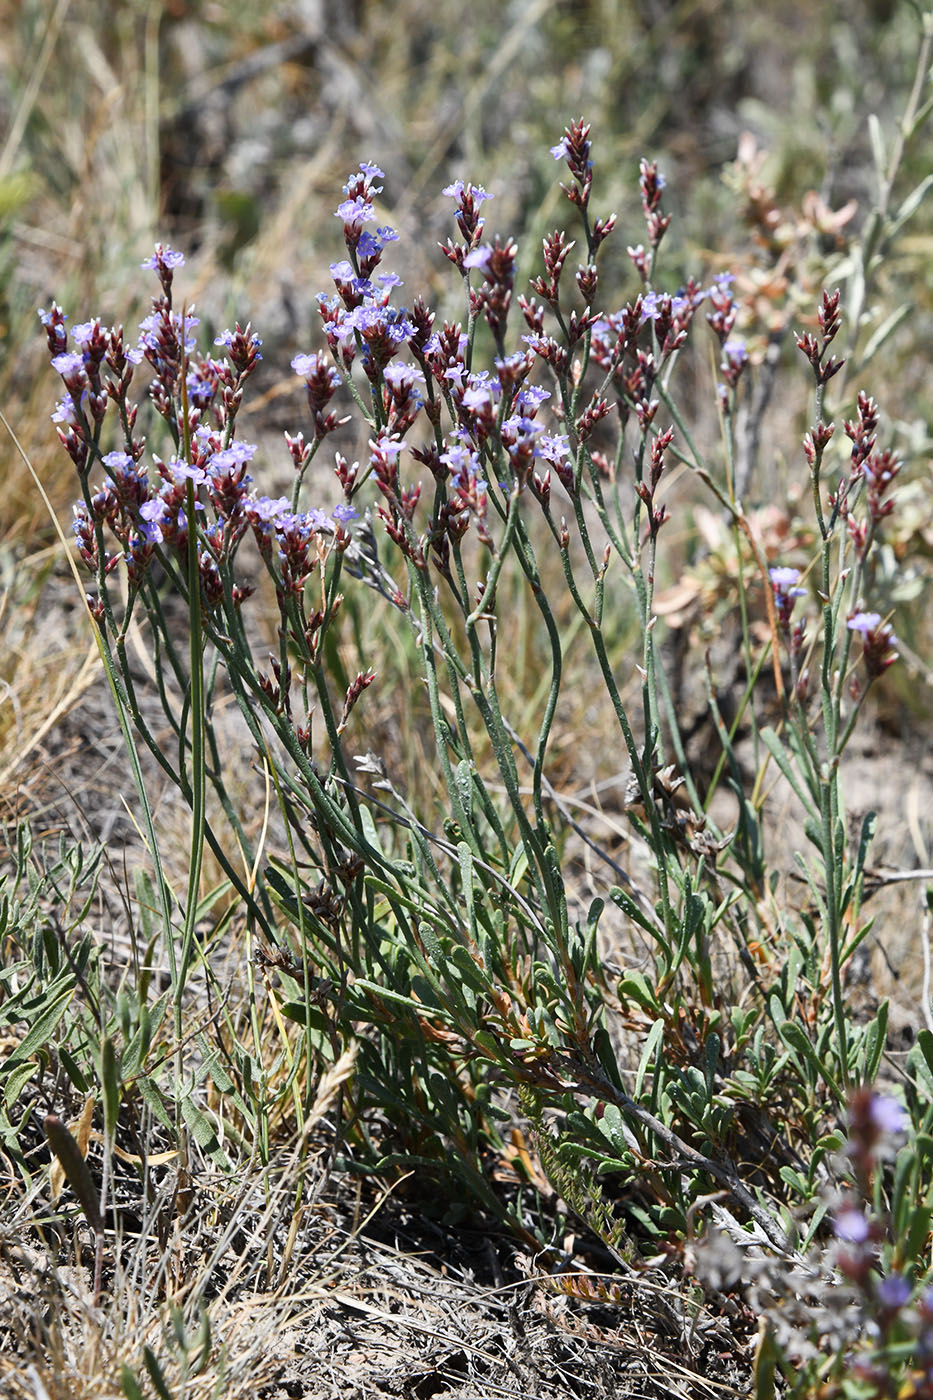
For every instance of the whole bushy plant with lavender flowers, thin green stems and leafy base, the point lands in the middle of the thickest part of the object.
(453, 954)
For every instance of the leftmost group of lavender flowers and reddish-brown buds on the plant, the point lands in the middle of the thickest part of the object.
(146, 510)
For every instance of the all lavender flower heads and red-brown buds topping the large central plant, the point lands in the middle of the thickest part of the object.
(504, 435)
